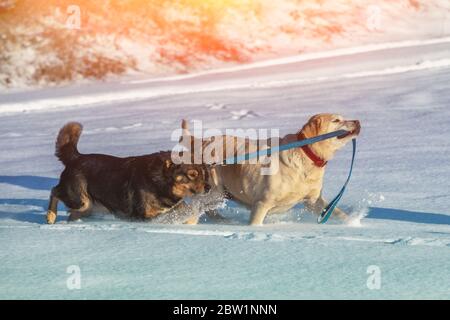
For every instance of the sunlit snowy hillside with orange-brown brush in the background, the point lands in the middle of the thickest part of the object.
(63, 41)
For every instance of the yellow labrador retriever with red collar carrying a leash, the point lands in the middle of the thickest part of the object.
(299, 177)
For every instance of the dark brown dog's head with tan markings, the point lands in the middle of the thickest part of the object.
(186, 179)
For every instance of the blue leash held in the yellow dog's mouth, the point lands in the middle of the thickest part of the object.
(328, 210)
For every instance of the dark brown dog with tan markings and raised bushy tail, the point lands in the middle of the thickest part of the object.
(141, 187)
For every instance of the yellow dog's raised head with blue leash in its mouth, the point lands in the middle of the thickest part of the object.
(325, 123)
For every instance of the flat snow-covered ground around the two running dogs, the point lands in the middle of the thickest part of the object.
(401, 94)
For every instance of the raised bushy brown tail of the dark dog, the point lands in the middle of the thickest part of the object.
(66, 143)
